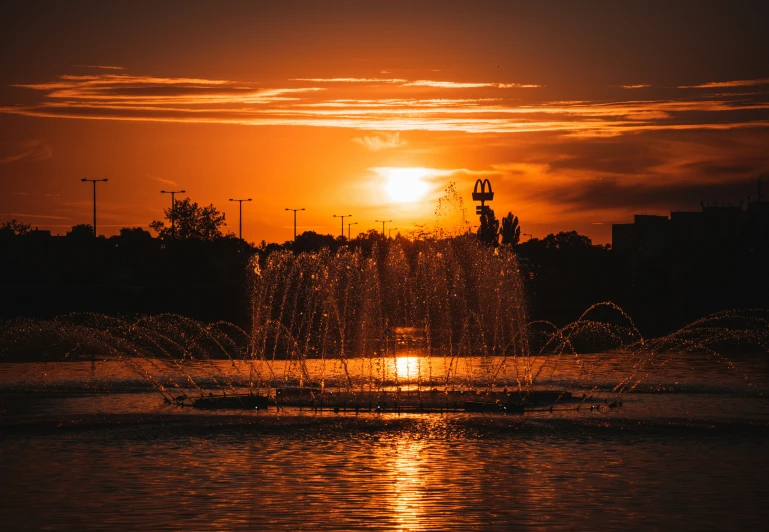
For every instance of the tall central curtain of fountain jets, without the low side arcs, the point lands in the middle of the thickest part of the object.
(447, 301)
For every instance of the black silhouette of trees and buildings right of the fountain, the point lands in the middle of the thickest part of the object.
(682, 281)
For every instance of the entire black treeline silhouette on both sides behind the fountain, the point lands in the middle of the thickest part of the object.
(200, 271)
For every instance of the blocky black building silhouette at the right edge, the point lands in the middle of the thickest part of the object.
(674, 269)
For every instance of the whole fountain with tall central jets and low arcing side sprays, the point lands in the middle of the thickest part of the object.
(430, 324)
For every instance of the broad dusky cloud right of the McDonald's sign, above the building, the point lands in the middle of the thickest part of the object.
(559, 182)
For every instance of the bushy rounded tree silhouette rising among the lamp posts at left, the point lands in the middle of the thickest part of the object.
(192, 222)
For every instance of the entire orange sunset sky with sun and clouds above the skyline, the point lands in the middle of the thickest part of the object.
(580, 113)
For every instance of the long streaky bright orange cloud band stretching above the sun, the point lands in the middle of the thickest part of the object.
(385, 106)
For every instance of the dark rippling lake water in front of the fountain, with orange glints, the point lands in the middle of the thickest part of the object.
(680, 455)
